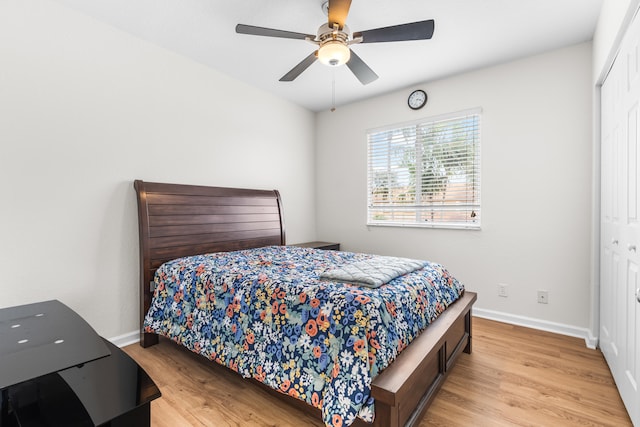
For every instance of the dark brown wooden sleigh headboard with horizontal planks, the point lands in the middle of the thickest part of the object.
(181, 220)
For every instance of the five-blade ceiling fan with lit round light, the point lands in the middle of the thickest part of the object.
(334, 38)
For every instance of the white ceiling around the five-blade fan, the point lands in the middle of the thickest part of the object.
(469, 34)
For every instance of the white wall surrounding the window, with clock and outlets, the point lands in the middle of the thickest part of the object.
(536, 178)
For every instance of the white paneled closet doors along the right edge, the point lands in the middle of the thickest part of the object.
(620, 221)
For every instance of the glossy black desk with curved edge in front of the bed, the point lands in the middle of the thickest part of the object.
(56, 371)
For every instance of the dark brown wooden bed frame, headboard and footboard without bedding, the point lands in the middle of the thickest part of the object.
(180, 220)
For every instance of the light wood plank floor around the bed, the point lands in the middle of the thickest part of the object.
(514, 377)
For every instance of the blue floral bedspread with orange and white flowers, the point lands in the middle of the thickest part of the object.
(266, 314)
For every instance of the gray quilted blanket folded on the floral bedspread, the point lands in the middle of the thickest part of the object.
(373, 272)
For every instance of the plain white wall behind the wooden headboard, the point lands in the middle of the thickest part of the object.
(84, 110)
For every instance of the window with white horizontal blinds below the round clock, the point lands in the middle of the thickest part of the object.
(426, 173)
